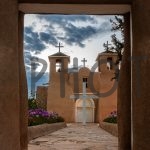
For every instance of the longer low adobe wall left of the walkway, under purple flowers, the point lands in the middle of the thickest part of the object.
(40, 130)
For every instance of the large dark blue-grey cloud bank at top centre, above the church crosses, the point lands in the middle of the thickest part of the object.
(68, 31)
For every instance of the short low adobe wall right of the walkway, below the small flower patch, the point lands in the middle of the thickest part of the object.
(109, 127)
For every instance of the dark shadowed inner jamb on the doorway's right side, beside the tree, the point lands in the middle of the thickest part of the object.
(124, 92)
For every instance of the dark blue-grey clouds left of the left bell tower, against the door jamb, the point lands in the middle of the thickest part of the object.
(34, 43)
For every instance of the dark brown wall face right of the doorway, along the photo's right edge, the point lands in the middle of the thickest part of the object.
(141, 75)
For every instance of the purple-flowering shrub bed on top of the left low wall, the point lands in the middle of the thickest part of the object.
(40, 116)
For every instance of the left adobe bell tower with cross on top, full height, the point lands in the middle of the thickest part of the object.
(58, 99)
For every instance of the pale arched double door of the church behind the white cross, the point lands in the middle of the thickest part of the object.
(89, 107)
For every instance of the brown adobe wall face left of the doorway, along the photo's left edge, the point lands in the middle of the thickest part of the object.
(9, 77)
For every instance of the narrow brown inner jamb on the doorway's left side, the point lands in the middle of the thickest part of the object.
(22, 87)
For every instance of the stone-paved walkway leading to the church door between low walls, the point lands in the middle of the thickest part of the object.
(76, 137)
